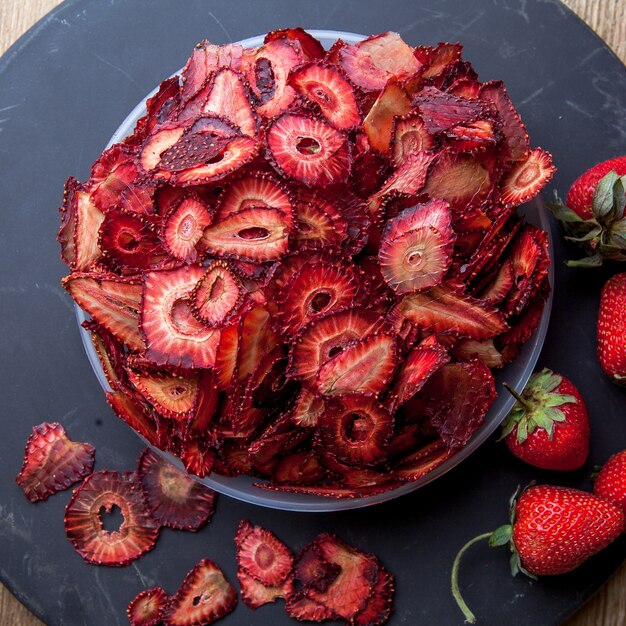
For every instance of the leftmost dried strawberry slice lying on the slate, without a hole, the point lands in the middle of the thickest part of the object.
(52, 462)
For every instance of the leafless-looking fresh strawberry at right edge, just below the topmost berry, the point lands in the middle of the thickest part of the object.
(612, 328)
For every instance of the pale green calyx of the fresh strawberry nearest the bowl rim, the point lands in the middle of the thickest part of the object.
(537, 407)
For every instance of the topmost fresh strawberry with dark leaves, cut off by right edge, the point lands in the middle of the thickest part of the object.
(593, 214)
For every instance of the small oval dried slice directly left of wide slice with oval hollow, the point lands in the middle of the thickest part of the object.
(183, 228)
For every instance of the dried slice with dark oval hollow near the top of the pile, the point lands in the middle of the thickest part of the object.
(267, 71)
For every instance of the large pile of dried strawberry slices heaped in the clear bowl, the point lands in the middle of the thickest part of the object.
(303, 265)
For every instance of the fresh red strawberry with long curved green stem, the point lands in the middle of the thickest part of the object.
(553, 530)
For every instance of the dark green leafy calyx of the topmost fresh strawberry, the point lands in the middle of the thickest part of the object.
(603, 235)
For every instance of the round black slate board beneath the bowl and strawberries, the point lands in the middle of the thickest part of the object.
(65, 86)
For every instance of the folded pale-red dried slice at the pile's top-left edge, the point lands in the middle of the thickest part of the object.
(204, 60)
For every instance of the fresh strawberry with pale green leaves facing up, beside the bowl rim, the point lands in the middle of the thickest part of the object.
(549, 426)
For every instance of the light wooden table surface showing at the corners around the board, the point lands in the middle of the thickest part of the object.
(608, 19)
